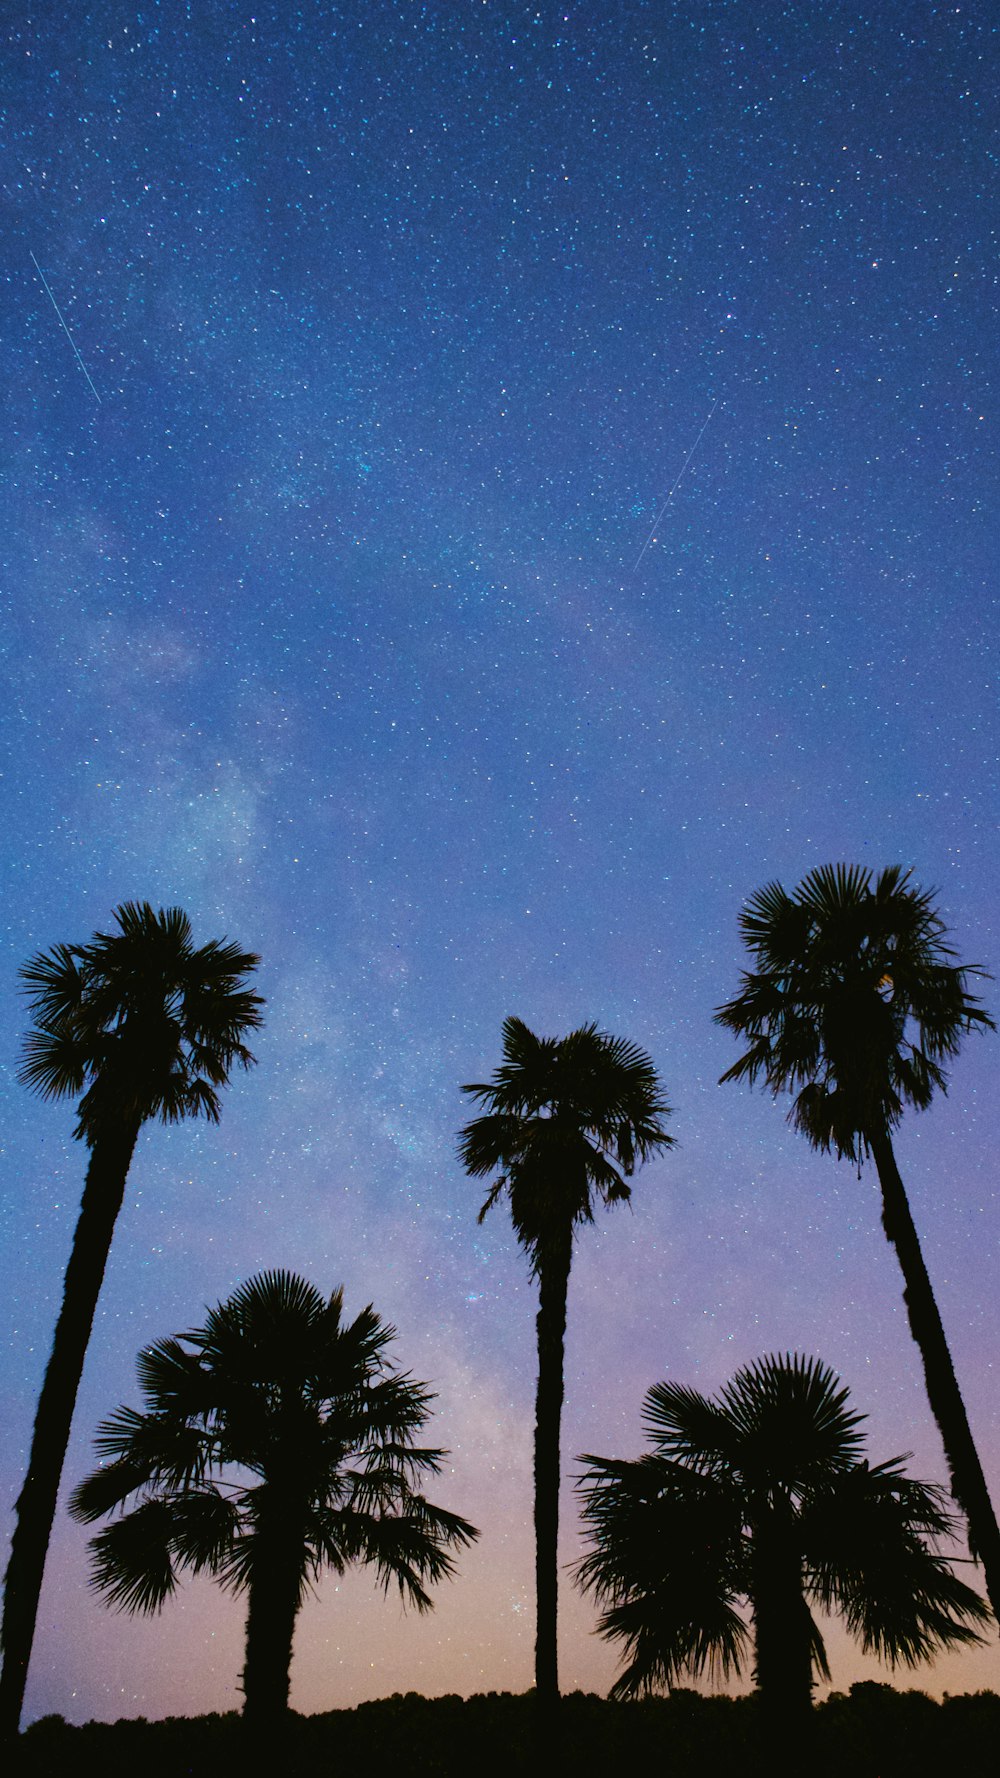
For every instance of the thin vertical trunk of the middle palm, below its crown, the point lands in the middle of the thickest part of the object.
(554, 1279)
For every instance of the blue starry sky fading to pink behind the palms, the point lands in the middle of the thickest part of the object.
(487, 488)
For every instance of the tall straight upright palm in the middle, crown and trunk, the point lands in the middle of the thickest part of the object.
(567, 1121)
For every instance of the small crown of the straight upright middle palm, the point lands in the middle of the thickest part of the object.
(569, 1119)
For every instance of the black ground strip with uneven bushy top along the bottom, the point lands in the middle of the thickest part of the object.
(873, 1733)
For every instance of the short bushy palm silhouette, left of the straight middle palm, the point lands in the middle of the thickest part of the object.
(277, 1443)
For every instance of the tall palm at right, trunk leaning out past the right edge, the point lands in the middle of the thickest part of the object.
(855, 1005)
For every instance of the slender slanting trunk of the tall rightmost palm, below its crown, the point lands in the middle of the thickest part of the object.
(969, 1484)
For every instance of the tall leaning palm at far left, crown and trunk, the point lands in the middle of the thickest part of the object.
(141, 1025)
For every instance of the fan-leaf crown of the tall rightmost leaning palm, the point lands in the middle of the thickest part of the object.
(855, 1004)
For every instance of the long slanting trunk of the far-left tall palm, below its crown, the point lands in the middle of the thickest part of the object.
(36, 1505)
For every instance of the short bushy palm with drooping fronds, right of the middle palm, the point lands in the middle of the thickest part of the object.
(762, 1498)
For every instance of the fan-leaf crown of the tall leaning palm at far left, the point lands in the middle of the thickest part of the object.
(140, 1021)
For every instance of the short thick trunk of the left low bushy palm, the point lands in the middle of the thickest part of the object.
(271, 1626)
